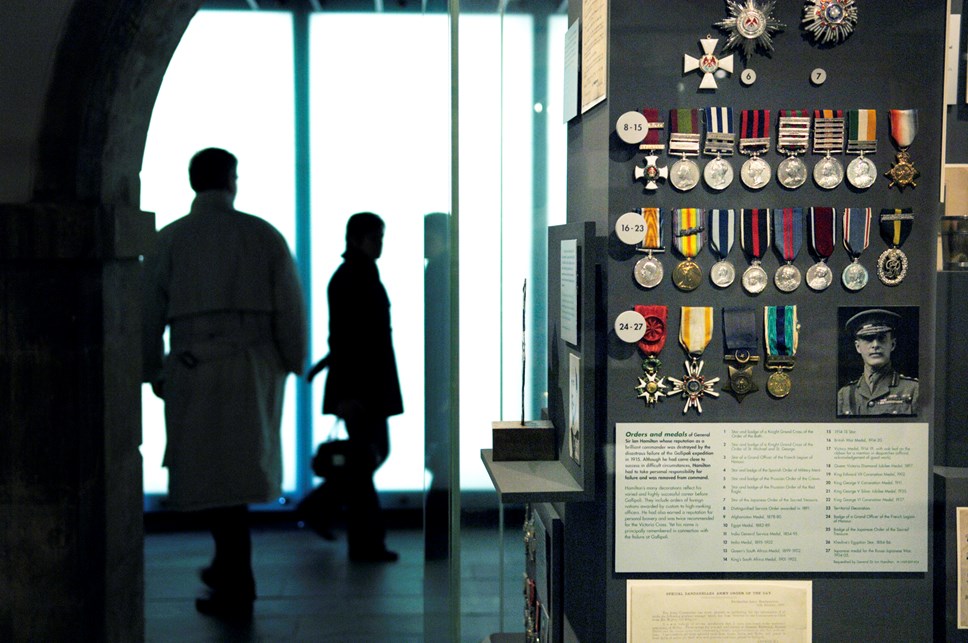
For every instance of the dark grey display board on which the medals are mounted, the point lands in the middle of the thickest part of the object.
(893, 60)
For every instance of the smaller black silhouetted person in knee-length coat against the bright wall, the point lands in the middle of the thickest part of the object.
(362, 386)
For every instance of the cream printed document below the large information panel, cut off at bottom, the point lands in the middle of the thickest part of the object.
(715, 611)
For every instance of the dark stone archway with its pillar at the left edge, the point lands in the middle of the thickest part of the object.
(70, 468)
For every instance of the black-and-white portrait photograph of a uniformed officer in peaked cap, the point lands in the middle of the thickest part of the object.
(877, 357)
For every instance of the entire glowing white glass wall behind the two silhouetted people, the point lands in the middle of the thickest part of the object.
(379, 127)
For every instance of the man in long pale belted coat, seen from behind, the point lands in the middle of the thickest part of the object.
(225, 284)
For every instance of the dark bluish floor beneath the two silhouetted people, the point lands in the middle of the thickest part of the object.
(309, 591)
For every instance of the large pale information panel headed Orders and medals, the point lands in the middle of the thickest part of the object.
(845, 497)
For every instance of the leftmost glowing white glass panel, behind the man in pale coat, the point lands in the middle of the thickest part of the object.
(229, 85)
